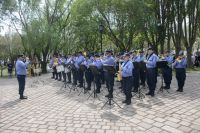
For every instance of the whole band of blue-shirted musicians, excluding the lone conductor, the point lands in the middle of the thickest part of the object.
(133, 70)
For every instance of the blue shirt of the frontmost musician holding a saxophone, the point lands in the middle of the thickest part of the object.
(127, 68)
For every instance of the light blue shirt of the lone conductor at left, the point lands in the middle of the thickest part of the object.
(21, 67)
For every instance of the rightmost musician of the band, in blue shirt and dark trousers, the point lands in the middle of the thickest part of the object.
(180, 65)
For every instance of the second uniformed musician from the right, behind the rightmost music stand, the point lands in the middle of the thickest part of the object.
(167, 71)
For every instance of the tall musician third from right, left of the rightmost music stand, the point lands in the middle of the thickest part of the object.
(151, 71)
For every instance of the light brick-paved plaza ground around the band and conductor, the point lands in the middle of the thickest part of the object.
(54, 109)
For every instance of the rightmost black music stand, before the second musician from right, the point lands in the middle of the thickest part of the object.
(161, 65)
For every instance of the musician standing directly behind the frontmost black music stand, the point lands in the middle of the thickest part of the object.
(109, 76)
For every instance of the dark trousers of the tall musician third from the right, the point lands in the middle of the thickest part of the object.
(151, 79)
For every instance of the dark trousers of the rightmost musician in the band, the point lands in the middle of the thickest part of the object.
(180, 76)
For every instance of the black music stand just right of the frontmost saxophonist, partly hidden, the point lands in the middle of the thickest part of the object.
(139, 93)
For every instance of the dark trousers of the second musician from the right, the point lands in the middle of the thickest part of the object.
(167, 76)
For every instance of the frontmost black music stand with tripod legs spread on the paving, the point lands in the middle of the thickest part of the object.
(110, 69)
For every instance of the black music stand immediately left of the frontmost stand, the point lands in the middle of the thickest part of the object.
(94, 71)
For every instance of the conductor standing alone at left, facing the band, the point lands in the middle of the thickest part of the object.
(21, 75)
